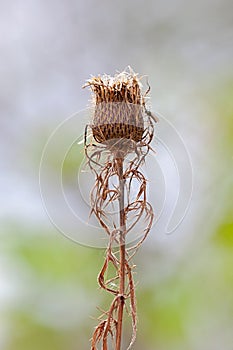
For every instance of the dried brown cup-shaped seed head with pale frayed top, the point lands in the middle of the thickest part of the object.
(118, 107)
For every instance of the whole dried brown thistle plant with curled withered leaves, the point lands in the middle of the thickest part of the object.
(121, 131)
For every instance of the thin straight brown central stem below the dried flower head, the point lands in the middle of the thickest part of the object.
(119, 163)
